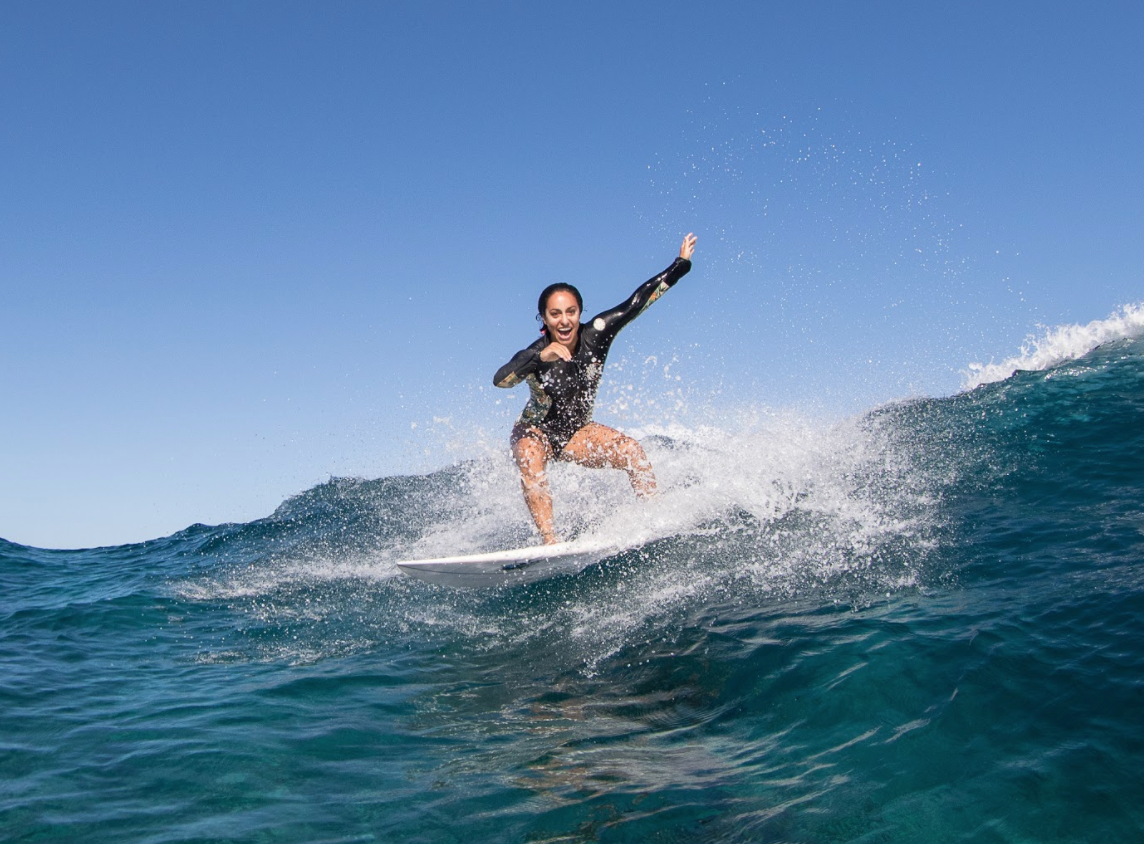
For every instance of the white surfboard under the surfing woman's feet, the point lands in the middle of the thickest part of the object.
(521, 566)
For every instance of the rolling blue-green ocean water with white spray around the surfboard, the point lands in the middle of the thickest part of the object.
(926, 624)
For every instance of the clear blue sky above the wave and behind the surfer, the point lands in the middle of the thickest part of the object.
(245, 246)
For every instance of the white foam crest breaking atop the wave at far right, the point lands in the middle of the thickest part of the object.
(1059, 345)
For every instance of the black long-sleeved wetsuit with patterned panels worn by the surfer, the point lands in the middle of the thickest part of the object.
(565, 392)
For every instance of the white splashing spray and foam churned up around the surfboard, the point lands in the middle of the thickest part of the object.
(761, 504)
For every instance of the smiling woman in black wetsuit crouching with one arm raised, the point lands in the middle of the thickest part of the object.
(563, 371)
